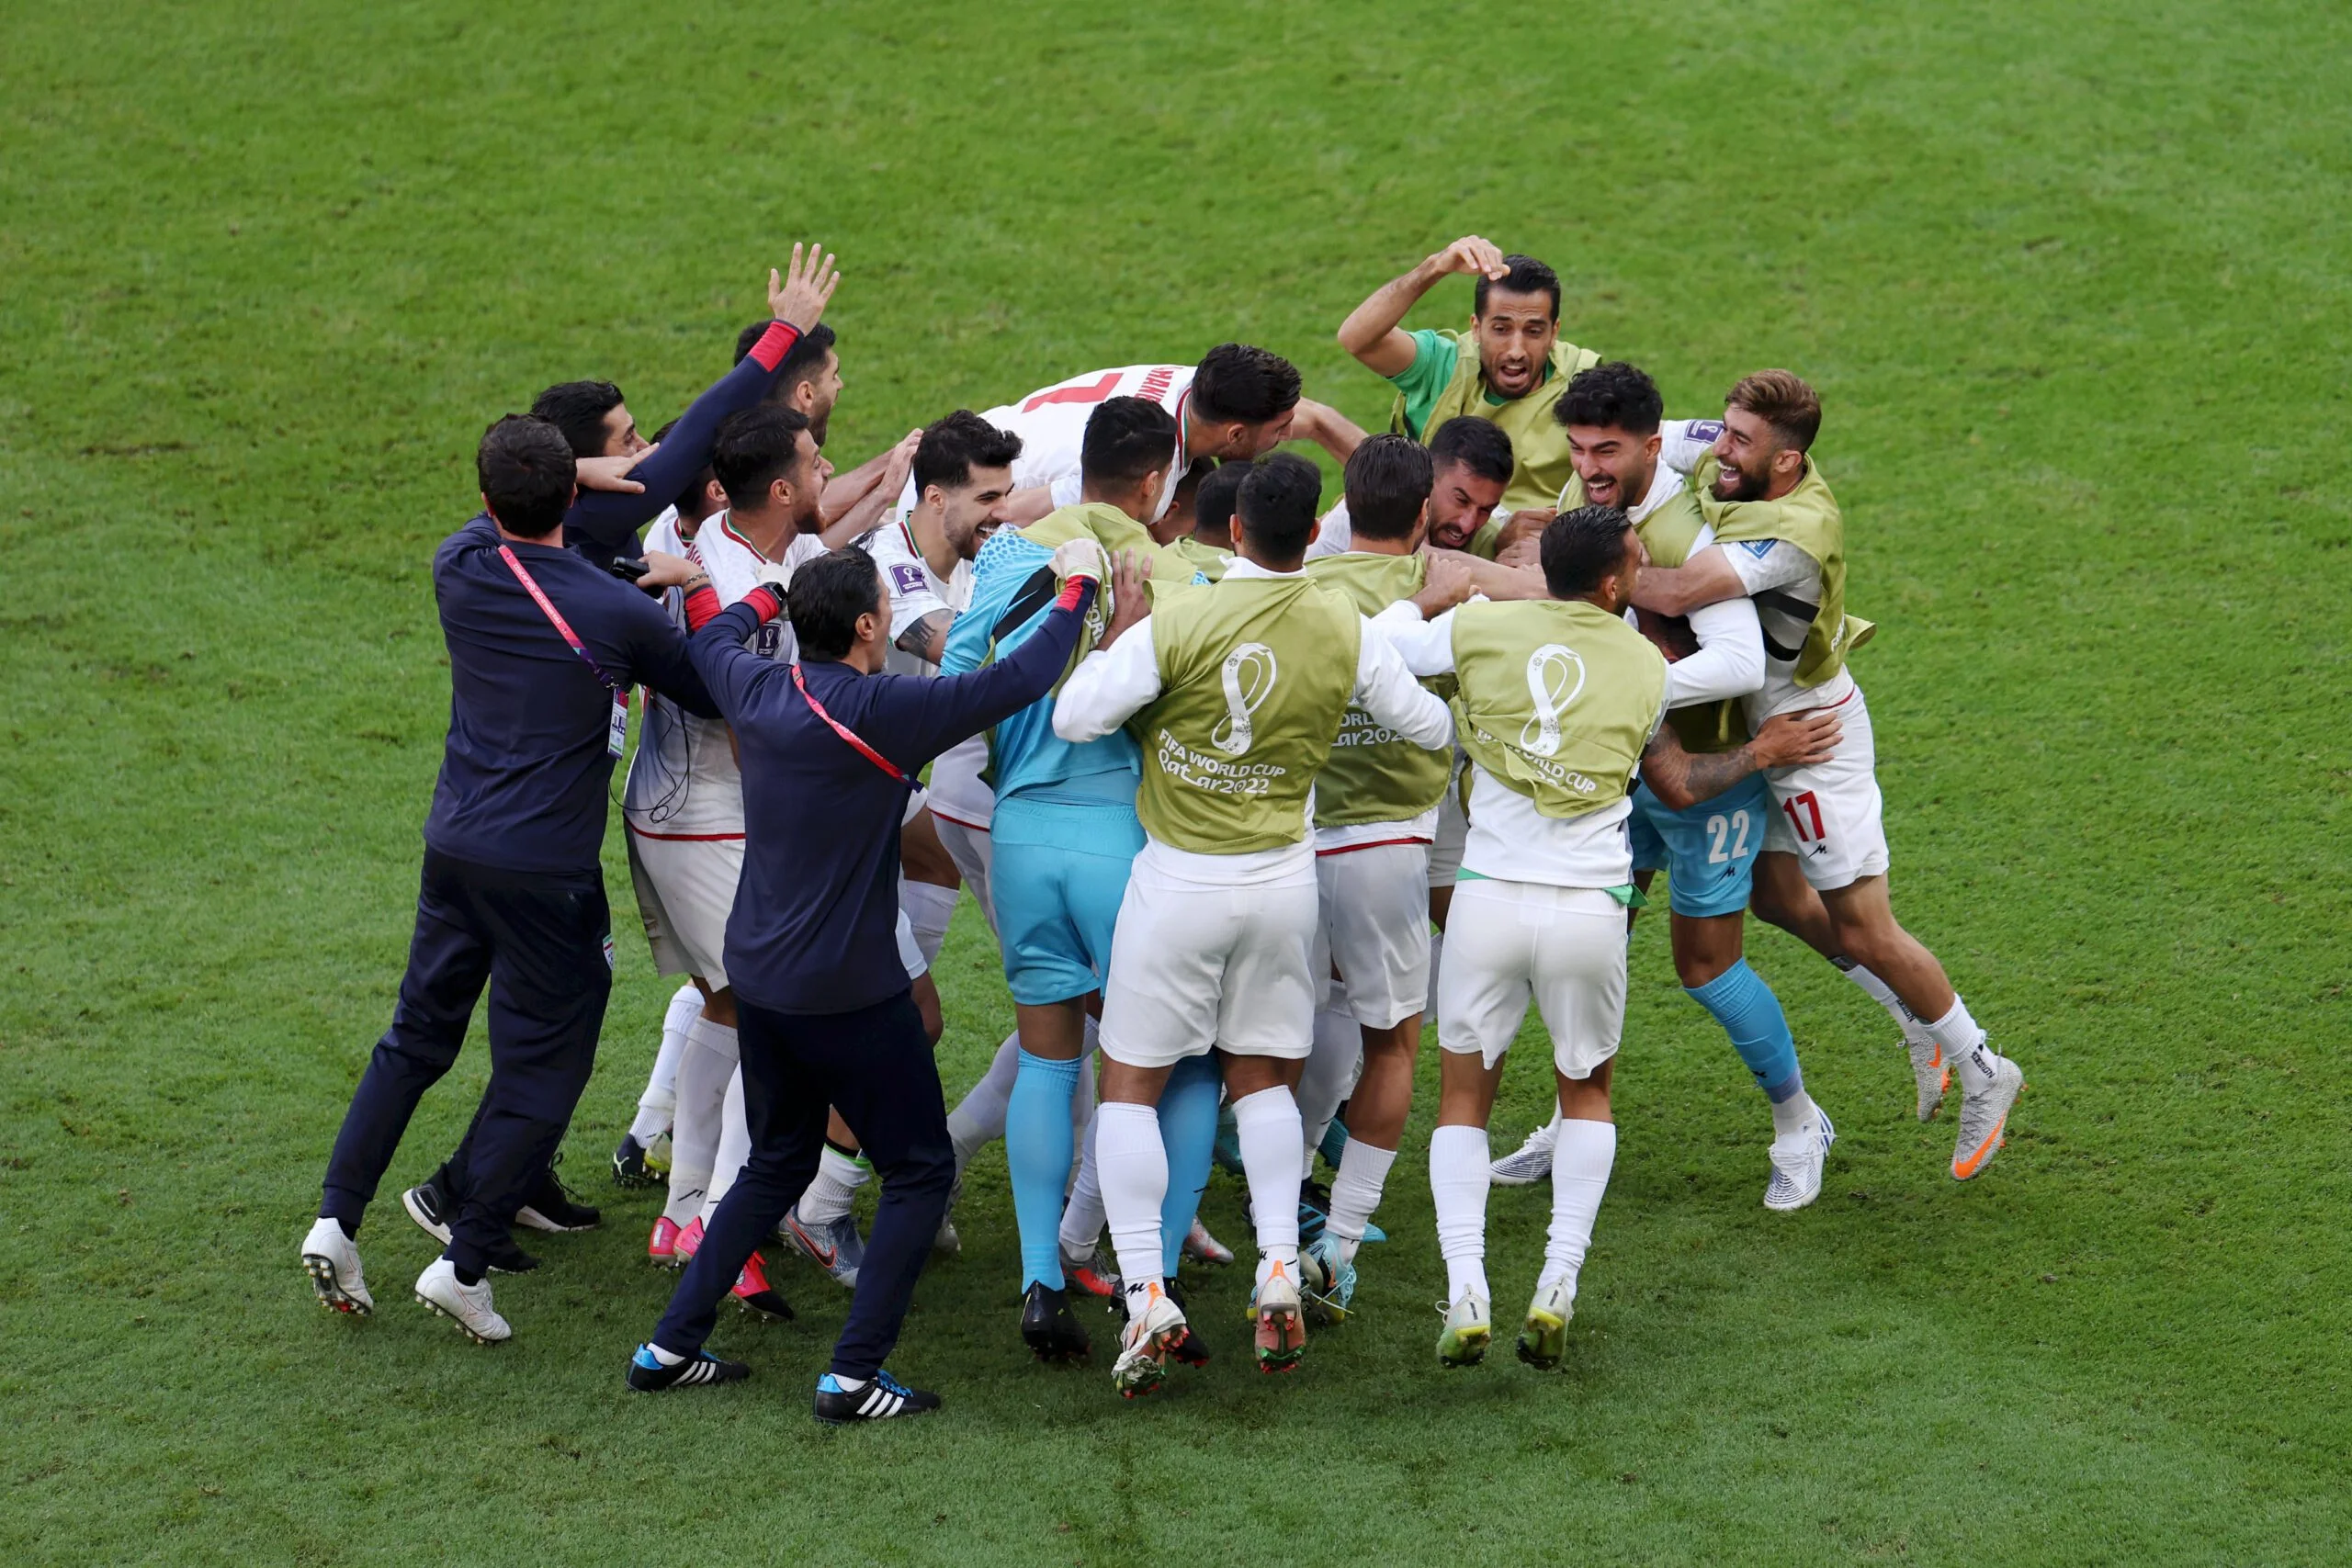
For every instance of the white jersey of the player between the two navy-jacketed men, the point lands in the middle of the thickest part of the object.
(683, 779)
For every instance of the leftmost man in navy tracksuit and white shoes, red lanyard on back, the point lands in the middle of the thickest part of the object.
(542, 655)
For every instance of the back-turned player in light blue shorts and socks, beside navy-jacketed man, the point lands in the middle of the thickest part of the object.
(1064, 838)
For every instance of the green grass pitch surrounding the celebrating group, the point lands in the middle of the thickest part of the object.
(2073, 286)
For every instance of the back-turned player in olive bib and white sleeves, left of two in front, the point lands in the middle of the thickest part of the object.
(1241, 690)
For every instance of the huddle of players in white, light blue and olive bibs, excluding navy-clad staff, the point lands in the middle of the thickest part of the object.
(1311, 775)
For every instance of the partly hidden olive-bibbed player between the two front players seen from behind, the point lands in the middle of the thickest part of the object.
(1375, 822)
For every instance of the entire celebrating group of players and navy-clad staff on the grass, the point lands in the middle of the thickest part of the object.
(1259, 793)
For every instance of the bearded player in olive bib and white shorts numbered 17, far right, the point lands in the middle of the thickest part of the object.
(1782, 542)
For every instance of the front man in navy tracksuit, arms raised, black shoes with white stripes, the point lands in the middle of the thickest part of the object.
(829, 753)
